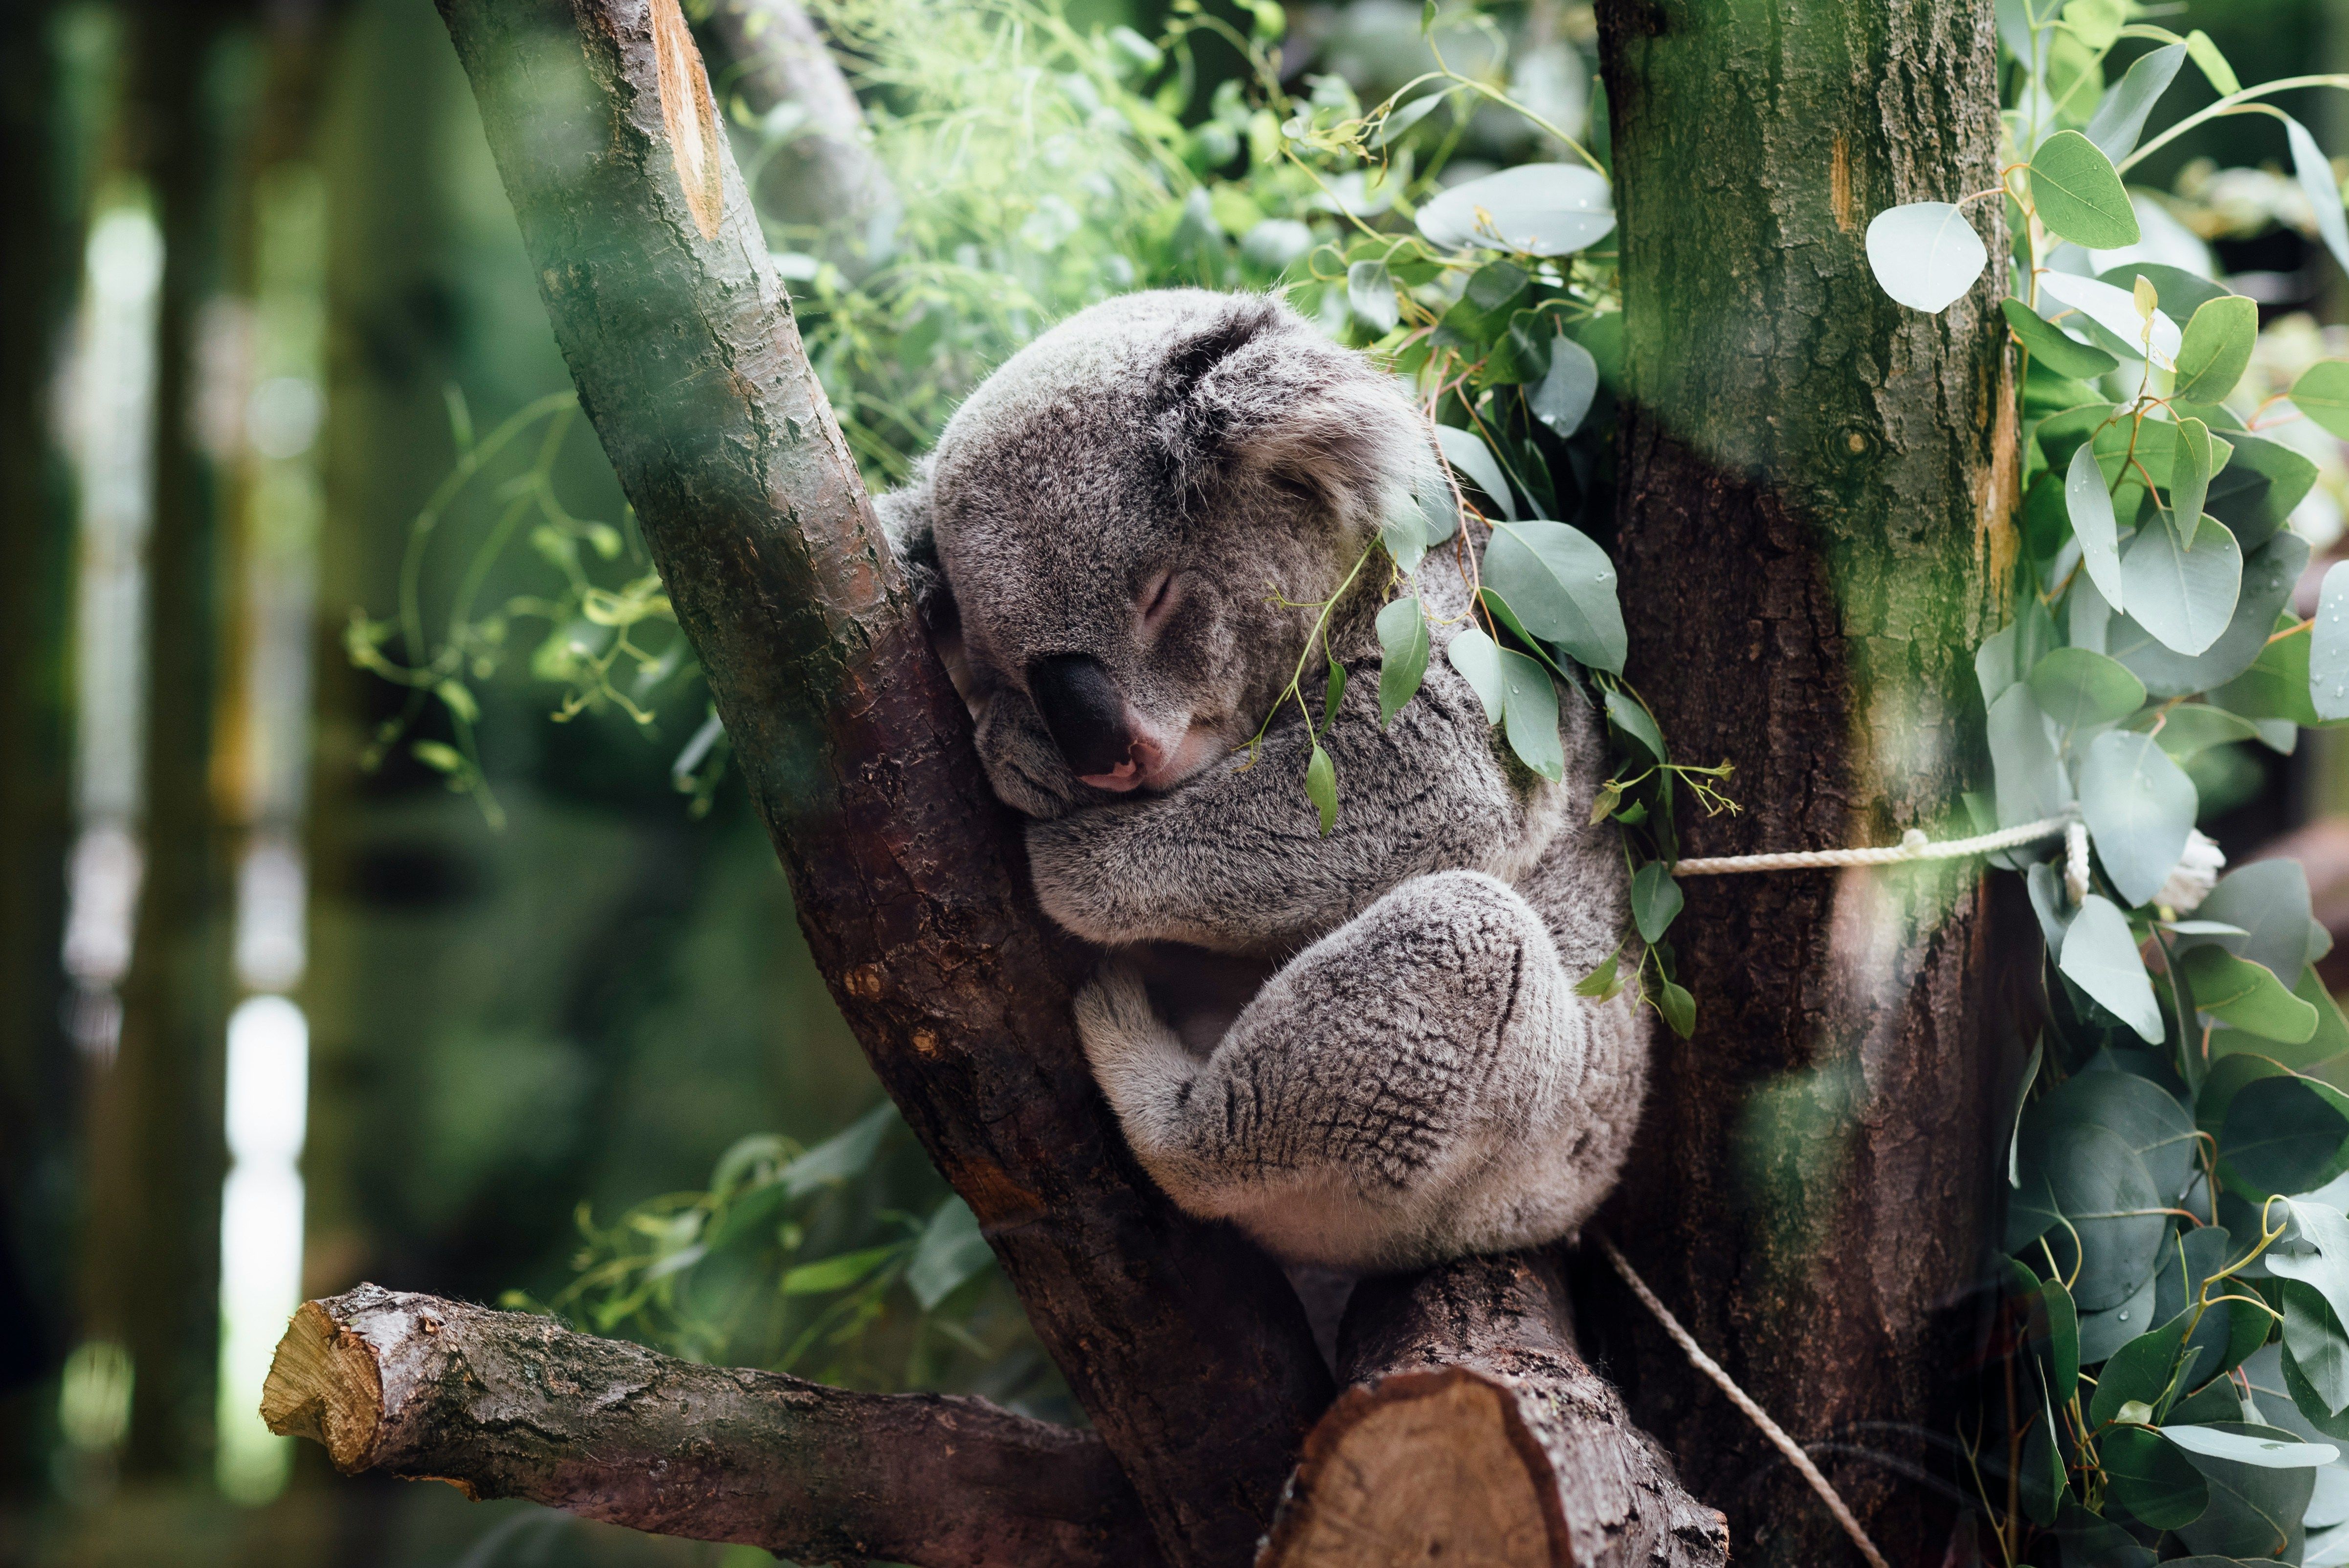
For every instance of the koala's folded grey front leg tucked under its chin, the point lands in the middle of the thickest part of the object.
(1237, 860)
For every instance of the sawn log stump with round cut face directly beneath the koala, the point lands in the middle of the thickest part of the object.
(1476, 1433)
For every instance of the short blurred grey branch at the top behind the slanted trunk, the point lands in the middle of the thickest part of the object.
(826, 175)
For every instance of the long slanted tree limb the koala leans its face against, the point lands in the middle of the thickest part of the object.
(1185, 1344)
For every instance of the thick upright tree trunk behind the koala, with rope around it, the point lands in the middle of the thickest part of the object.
(1815, 534)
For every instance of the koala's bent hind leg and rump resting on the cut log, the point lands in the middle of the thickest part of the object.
(1404, 1090)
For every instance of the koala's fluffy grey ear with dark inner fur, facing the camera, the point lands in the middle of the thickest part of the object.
(1260, 398)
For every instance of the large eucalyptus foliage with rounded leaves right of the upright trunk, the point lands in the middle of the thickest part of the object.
(2181, 1262)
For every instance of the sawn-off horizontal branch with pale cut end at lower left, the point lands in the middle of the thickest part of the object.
(504, 1405)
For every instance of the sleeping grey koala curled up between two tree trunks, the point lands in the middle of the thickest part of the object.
(1366, 1048)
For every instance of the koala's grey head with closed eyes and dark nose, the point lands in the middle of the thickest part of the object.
(1119, 513)
